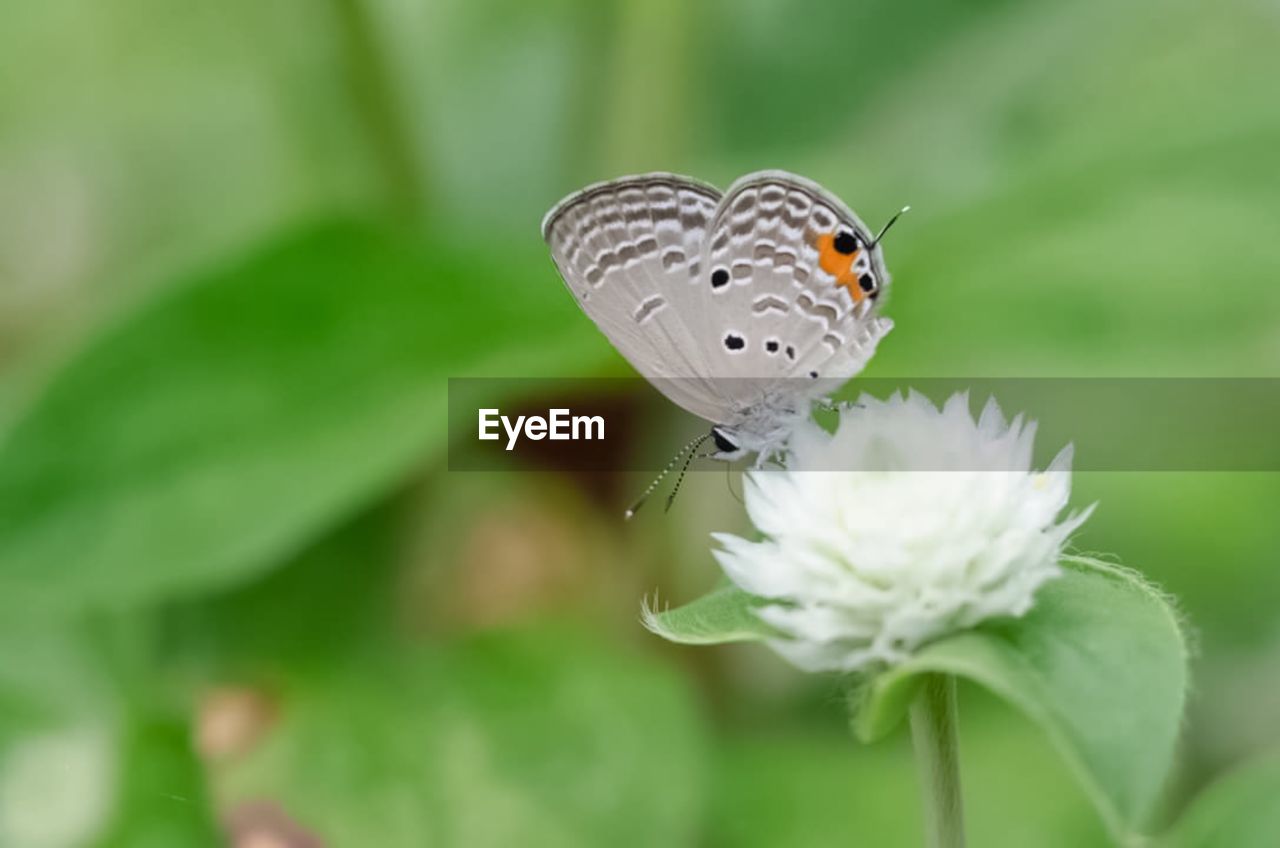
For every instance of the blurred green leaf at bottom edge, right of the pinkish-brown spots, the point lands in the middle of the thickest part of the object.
(532, 738)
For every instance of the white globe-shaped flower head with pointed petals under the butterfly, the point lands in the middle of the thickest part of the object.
(906, 525)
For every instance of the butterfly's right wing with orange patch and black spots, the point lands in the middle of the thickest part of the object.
(793, 279)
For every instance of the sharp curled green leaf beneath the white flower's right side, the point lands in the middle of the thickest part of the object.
(1100, 664)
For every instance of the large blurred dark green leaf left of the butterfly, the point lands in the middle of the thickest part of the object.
(223, 426)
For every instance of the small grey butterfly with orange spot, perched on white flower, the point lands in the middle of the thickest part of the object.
(743, 308)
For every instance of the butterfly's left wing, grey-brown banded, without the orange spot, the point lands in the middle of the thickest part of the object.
(629, 252)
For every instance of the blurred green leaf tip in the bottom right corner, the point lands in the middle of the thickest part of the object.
(1238, 811)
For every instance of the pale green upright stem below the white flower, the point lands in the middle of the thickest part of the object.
(934, 735)
